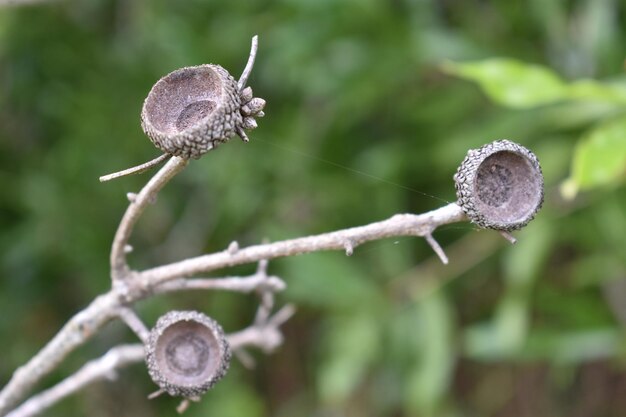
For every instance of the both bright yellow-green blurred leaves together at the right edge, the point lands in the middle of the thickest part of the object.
(600, 158)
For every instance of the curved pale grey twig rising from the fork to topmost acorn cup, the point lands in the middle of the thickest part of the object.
(119, 267)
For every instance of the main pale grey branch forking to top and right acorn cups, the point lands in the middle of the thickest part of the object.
(138, 285)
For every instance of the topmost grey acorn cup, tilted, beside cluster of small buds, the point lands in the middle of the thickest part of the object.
(191, 110)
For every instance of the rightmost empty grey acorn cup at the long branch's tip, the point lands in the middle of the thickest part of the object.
(500, 185)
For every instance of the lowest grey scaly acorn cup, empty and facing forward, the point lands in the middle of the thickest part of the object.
(187, 353)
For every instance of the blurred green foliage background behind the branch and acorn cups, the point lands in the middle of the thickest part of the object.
(371, 106)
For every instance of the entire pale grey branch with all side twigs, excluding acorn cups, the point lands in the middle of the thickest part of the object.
(129, 286)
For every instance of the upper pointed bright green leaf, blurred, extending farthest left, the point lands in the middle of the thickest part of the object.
(512, 83)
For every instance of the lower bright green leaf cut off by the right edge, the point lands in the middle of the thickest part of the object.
(599, 158)
